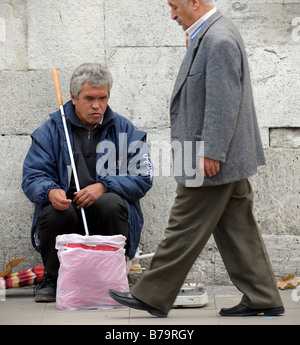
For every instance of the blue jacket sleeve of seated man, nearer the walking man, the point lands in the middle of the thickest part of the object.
(134, 175)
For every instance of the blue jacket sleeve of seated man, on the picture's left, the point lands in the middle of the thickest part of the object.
(39, 172)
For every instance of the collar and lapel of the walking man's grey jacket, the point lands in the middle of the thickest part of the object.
(191, 52)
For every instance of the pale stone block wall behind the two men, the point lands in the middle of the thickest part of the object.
(143, 48)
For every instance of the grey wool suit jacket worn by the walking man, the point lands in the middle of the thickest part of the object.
(212, 102)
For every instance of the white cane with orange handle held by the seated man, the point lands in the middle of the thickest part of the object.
(63, 116)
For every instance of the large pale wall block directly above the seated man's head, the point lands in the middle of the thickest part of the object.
(69, 34)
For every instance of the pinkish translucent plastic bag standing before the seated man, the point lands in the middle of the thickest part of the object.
(89, 267)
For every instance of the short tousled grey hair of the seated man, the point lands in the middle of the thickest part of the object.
(95, 74)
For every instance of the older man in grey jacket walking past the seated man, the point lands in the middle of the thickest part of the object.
(212, 102)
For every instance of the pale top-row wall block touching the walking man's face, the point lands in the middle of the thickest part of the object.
(141, 24)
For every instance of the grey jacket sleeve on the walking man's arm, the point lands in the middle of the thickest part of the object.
(223, 96)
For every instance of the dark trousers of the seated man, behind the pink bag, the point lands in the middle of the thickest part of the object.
(107, 216)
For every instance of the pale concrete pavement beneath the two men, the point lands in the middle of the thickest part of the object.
(19, 308)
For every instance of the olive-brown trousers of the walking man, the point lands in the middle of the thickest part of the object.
(226, 212)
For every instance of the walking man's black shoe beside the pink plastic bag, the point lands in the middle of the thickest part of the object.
(127, 299)
